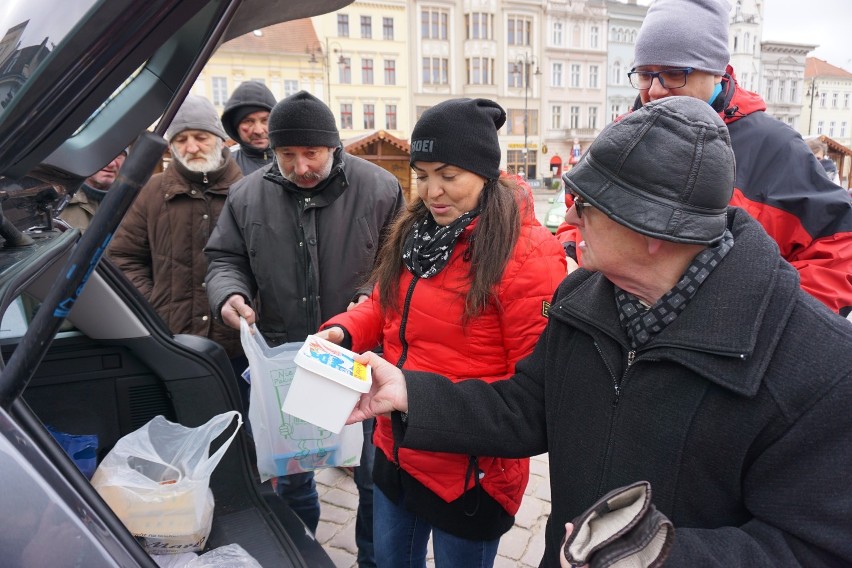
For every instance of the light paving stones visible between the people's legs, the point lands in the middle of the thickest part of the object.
(521, 547)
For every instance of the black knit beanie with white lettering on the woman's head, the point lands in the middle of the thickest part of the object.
(462, 133)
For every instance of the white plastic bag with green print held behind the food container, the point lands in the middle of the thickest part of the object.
(286, 444)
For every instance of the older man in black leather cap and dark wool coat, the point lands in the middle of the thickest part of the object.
(676, 386)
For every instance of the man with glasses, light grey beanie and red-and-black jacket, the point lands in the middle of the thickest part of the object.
(682, 49)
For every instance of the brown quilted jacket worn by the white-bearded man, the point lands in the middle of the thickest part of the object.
(160, 242)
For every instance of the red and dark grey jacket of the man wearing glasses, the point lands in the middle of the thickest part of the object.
(779, 182)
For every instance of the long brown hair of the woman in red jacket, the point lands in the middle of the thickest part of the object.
(490, 247)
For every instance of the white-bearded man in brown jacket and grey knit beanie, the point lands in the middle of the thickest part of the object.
(160, 242)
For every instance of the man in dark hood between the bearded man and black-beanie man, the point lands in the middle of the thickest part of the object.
(246, 120)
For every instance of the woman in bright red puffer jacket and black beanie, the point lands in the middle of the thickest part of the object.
(462, 287)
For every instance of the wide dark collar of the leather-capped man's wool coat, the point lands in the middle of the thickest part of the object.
(730, 329)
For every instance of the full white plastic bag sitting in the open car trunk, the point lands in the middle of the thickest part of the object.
(156, 480)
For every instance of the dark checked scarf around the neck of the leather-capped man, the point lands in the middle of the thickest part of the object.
(642, 323)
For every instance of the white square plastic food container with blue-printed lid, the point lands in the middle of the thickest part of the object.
(327, 384)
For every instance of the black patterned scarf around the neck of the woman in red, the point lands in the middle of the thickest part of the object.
(429, 245)
